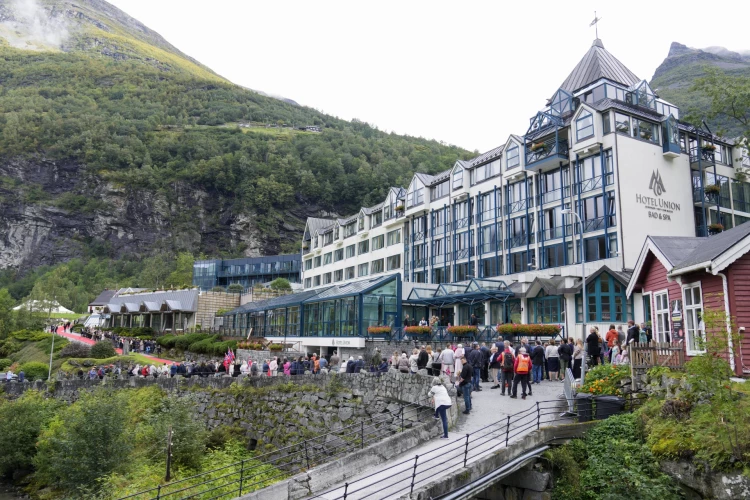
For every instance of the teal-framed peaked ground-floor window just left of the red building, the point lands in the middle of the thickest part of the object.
(607, 301)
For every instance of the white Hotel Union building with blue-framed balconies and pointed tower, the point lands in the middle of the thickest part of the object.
(488, 236)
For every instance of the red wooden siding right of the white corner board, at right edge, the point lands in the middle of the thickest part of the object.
(738, 277)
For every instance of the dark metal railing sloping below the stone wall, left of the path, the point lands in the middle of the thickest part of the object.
(254, 473)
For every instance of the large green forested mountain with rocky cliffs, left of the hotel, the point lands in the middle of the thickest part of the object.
(116, 145)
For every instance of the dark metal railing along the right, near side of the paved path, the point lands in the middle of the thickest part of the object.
(404, 477)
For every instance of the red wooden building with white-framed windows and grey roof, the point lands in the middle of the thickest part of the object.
(676, 277)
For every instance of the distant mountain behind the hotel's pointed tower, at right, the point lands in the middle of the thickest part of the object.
(683, 65)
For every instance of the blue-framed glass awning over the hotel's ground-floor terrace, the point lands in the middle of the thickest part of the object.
(475, 291)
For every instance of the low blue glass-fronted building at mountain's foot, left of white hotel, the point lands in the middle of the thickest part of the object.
(209, 274)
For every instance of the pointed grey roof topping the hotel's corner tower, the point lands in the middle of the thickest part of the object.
(597, 64)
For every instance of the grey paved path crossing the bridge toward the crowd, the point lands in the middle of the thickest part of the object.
(437, 457)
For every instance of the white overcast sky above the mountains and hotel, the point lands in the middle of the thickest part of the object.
(467, 73)
